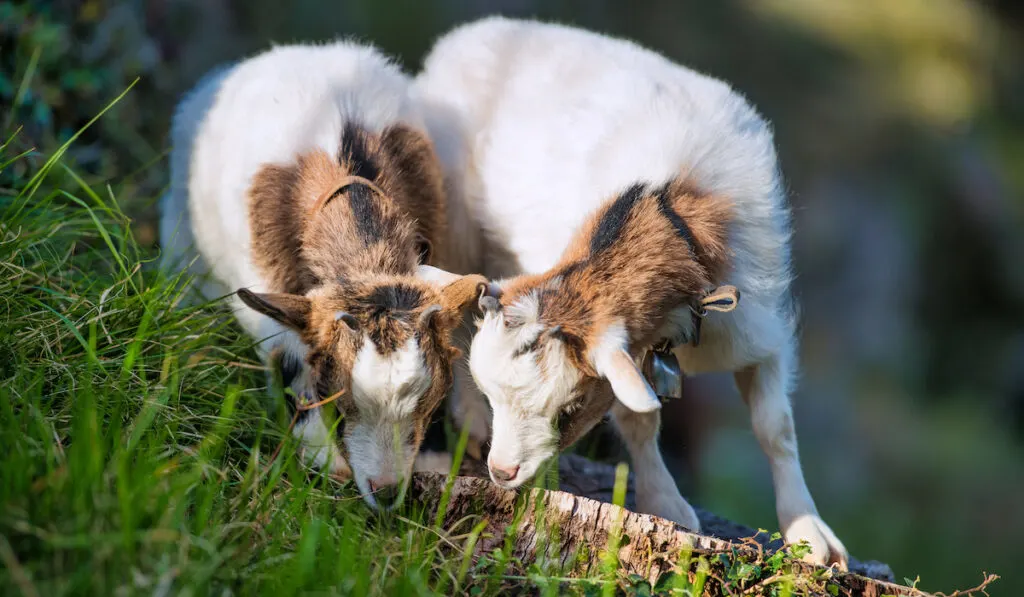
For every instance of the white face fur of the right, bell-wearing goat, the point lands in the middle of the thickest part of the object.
(525, 397)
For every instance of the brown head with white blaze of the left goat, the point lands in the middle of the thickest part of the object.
(387, 345)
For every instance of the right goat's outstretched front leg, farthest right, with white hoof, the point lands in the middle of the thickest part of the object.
(765, 390)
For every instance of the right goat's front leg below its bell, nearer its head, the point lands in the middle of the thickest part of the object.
(657, 491)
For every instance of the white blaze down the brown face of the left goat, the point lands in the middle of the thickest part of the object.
(386, 391)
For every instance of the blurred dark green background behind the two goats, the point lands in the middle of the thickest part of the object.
(901, 126)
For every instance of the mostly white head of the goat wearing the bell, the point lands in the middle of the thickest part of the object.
(551, 368)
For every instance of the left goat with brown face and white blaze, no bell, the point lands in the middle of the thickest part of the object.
(304, 179)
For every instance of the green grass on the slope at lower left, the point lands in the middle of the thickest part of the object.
(137, 438)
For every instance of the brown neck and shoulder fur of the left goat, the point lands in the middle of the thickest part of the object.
(296, 252)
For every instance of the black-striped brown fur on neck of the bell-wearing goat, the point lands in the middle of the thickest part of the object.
(641, 269)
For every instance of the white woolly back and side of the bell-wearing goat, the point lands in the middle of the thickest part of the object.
(552, 121)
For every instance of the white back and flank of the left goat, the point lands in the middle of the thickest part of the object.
(267, 110)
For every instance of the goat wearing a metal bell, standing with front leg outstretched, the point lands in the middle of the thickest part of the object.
(624, 190)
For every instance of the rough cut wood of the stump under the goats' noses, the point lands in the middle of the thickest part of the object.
(585, 520)
